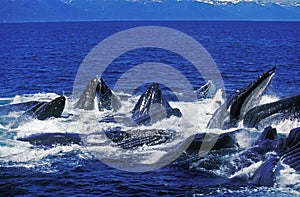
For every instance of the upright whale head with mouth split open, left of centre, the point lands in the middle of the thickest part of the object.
(106, 99)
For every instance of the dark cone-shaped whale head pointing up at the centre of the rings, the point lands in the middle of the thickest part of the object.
(152, 107)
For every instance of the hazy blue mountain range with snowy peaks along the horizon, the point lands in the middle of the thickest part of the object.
(74, 10)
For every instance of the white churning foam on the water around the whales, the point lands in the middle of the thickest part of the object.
(194, 120)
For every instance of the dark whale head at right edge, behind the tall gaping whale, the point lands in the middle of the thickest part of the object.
(286, 108)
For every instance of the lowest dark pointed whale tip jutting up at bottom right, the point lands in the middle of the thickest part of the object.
(265, 175)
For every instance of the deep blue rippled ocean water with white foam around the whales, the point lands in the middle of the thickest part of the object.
(39, 61)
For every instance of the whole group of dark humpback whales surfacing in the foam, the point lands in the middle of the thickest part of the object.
(151, 107)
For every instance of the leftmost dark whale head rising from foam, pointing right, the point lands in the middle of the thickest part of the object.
(42, 111)
